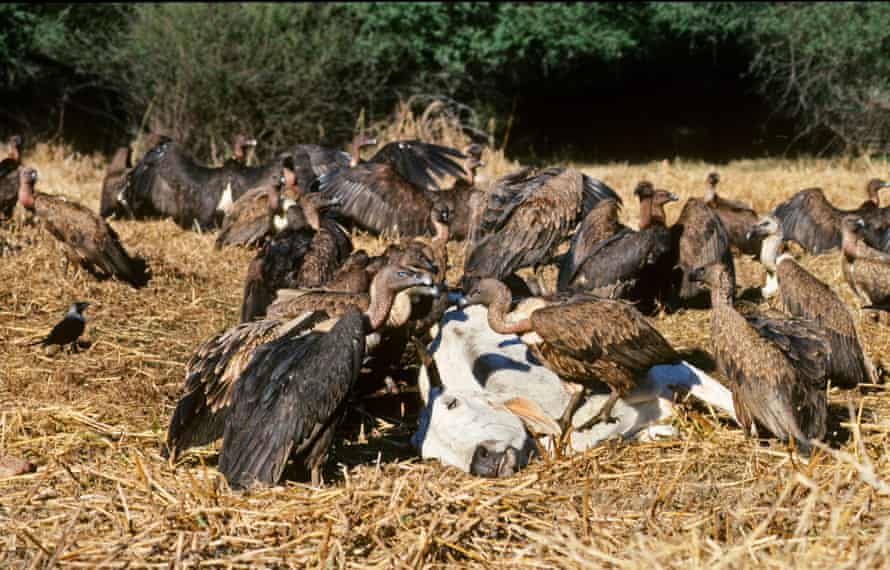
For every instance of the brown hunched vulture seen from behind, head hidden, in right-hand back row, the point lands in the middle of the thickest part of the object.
(698, 238)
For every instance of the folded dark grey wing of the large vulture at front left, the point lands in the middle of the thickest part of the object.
(292, 392)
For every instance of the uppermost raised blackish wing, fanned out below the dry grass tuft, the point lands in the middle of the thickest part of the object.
(414, 161)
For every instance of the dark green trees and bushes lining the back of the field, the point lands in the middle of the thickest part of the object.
(576, 73)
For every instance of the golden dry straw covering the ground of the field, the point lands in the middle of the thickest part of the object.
(93, 423)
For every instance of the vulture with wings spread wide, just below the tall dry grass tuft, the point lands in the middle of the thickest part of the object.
(394, 190)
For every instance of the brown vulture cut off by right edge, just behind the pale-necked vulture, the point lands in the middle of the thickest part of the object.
(866, 270)
